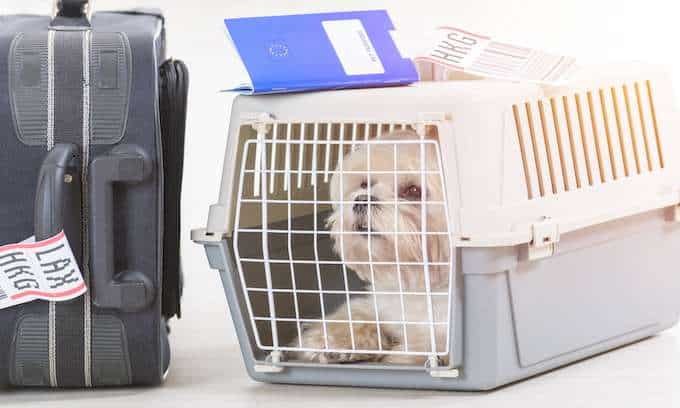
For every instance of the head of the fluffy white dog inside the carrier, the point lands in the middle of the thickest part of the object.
(380, 231)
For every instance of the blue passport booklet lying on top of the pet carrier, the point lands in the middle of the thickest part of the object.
(319, 51)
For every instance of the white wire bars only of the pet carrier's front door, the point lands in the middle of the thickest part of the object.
(263, 171)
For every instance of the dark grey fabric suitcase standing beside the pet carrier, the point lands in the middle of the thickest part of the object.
(91, 142)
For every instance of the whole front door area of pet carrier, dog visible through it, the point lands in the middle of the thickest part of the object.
(343, 242)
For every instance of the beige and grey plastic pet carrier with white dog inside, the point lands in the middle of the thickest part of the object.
(455, 235)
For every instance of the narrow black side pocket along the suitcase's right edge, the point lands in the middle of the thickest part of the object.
(174, 86)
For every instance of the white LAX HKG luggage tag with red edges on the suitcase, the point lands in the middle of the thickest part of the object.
(45, 270)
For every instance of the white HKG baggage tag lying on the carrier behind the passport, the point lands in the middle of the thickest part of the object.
(476, 54)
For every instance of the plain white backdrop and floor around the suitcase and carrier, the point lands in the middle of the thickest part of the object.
(207, 367)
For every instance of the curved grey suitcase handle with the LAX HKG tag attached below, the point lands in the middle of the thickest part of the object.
(58, 190)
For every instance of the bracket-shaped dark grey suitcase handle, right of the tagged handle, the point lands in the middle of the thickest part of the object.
(122, 290)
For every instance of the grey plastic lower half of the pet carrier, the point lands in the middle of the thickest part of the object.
(606, 286)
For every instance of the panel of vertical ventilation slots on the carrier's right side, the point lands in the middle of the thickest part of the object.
(588, 138)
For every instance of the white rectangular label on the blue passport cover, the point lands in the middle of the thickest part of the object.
(353, 47)
